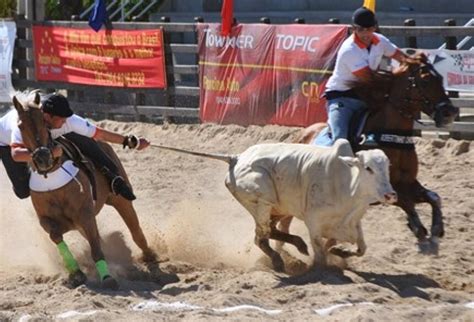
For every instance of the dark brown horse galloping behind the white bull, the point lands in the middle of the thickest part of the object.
(394, 102)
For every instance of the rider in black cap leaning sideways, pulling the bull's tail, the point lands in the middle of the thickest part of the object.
(61, 120)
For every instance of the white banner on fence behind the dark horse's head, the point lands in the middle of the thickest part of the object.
(456, 67)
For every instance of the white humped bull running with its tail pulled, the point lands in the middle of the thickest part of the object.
(329, 189)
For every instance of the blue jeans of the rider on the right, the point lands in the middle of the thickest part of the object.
(340, 111)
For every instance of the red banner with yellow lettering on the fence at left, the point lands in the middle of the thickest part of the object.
(121, 58)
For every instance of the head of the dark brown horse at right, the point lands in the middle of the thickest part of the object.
(421, 85)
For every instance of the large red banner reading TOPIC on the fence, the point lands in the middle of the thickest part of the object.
(266, 74)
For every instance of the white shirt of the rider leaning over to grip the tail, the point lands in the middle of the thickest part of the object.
(73, 123)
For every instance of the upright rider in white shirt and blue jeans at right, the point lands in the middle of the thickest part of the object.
(359, 56)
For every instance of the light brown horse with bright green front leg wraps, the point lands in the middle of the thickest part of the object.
(71, 206)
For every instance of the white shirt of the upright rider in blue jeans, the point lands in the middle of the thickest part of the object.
(354, 56)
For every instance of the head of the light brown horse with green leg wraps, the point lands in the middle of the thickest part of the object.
(33, 130)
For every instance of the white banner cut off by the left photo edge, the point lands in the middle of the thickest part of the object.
(7, 44)
